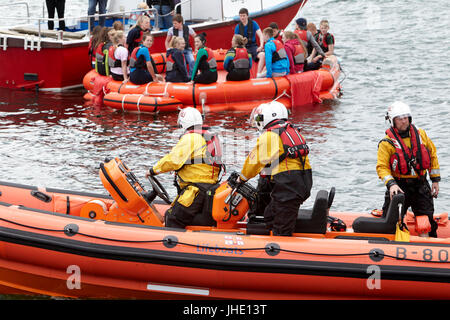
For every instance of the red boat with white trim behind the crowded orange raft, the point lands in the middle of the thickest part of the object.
(53, 60)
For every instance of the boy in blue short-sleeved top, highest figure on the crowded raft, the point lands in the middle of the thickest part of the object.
(248, 28)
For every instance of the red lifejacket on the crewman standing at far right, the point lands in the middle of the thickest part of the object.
(406, 159)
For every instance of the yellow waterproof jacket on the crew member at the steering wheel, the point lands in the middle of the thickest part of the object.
(186, 157)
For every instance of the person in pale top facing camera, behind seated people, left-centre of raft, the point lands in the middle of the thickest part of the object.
(180, 29)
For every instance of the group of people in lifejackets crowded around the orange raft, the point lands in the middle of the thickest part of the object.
(279, 54)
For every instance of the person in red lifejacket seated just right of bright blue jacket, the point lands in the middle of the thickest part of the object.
(296, 52)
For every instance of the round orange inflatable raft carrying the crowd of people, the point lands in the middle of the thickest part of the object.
(292, 90)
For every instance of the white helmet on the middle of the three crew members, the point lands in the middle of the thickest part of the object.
(265, 113)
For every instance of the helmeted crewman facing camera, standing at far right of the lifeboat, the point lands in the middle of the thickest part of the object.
(404, 156)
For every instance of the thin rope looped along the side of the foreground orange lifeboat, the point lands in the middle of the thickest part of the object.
(270, 247)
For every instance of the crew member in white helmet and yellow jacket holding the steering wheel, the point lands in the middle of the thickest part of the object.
(196, 159)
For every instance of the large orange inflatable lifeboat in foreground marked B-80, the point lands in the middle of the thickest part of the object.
(84, 245)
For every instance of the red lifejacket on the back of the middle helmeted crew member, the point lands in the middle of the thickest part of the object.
(294, 144)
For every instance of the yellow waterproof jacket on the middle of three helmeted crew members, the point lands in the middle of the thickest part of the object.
(268, 149)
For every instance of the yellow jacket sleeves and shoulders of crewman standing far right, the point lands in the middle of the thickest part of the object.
(386, 150)
